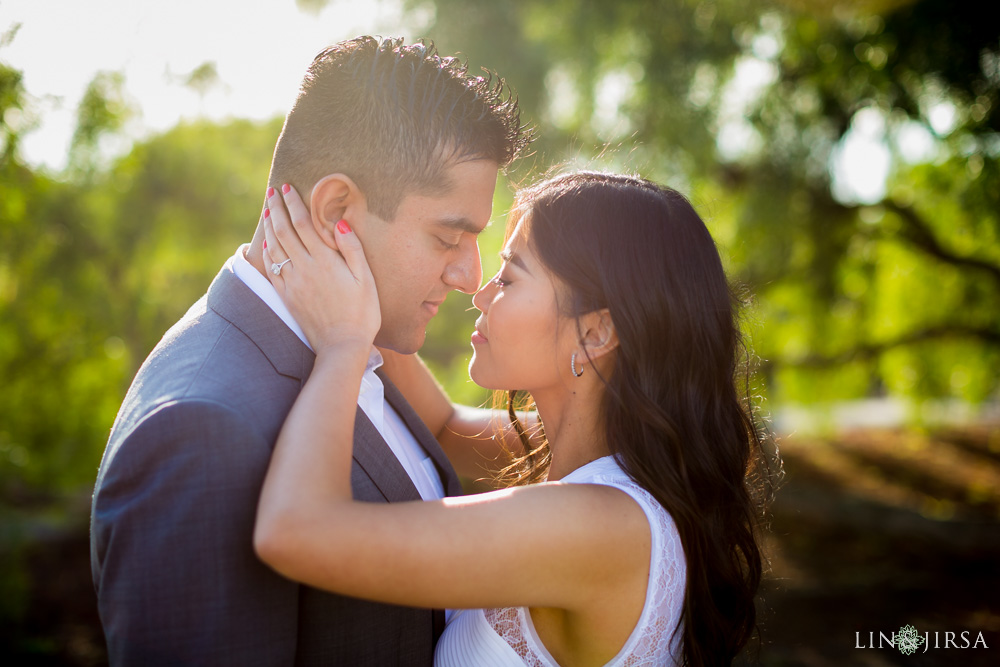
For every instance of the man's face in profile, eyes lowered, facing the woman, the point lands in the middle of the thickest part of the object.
(427, 250)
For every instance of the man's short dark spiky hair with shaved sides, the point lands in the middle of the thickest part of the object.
(393, 118)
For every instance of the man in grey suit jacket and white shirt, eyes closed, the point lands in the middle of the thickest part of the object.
(409, 144)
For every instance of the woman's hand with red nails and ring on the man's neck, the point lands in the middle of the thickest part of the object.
(329, 290)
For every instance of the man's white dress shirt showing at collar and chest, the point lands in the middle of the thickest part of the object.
(418, 465)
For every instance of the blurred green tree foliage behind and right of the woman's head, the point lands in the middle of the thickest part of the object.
(748, 107)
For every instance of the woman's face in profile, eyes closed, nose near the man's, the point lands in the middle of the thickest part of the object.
(520, 341)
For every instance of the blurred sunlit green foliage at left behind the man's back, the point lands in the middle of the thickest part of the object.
(93, 270)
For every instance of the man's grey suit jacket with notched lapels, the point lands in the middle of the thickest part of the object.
(173, 510)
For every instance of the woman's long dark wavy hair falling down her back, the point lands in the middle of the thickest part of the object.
(672, 414)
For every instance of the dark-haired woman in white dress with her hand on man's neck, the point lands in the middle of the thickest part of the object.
(612, 311)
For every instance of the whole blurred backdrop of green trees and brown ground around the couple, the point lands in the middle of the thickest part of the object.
(846, 157)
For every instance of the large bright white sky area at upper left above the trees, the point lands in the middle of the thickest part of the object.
(180, 60)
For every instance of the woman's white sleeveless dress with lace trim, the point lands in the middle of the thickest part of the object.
(507, 638)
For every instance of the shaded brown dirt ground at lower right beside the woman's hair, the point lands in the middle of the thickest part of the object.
(881, 529)
